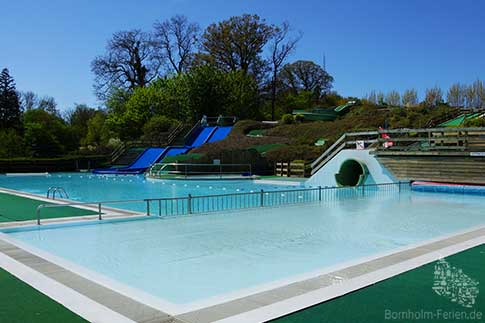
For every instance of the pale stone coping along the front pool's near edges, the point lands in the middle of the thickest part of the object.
(232, 309)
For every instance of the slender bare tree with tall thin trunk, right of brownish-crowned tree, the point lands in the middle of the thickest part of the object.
(281, 47)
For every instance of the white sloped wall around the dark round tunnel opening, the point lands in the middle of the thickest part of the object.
(326, 175)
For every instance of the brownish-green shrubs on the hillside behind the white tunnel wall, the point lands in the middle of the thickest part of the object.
(300, 138)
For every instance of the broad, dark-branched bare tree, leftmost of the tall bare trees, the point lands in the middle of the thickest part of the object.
(131, 61)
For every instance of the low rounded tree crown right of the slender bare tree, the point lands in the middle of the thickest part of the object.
(306, 76)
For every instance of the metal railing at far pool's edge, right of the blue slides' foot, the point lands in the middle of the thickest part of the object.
(190, 169)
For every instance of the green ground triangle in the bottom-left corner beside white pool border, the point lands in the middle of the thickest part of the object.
(20, 303)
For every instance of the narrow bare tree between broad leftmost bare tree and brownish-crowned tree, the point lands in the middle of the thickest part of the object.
(177, 39)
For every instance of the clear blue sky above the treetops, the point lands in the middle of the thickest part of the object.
(381, 44)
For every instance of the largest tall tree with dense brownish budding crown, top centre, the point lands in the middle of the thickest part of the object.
(236, 44)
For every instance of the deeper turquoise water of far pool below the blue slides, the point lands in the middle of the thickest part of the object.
(93, 188)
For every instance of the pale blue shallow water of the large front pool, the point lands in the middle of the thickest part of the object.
(190, 258)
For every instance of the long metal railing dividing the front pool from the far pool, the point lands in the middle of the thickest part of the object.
(192, 204)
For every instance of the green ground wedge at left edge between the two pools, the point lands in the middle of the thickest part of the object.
(16, 208)
